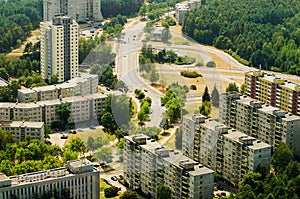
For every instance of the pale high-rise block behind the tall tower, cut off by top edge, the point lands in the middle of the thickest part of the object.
(80, 10)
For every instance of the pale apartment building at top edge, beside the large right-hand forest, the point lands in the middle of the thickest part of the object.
(183, 7)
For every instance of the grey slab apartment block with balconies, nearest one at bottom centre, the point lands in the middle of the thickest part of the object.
(148, 164)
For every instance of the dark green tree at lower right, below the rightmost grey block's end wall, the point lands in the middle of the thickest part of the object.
(282, 157)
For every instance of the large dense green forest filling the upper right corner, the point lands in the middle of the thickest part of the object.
(261, 32)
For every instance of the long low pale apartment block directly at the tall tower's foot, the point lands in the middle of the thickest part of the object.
(82, 85)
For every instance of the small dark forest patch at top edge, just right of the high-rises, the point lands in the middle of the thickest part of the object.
(111, 8)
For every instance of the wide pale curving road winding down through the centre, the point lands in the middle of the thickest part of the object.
(127, 68)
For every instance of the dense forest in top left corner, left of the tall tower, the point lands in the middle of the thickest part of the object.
(17, 19)
